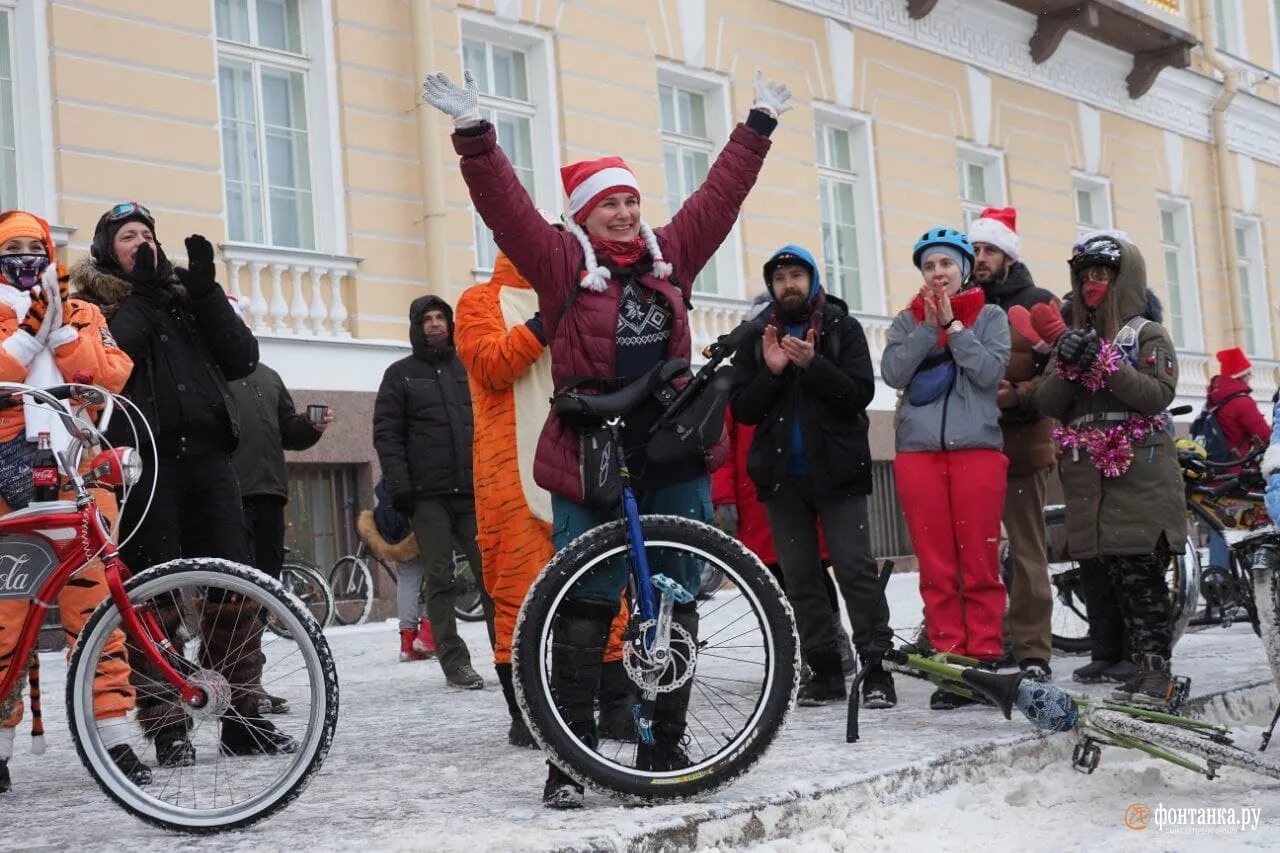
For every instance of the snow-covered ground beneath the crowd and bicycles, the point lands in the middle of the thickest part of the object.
(420, 767)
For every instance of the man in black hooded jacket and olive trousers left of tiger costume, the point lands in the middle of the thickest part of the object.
(423, 434)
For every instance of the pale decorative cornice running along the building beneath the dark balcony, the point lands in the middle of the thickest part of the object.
(994, 37)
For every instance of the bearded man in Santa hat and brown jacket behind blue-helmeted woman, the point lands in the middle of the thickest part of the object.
(1028, 440)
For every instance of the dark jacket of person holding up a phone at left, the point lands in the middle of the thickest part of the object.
(271, 425)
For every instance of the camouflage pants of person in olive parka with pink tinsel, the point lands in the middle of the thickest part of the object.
(1136, 587)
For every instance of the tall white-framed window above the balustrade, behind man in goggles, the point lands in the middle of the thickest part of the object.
(263, 70)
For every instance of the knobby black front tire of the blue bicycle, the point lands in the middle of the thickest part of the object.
(760, 594)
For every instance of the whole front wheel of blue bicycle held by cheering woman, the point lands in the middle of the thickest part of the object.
(742, 658)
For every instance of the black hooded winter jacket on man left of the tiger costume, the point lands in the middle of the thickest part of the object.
(423, 417)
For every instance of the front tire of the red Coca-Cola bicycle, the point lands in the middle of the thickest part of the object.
(314, 669)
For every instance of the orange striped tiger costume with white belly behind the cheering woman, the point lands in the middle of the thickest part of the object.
(509, 371)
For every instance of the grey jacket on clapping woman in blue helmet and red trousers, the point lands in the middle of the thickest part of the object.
(967, 417)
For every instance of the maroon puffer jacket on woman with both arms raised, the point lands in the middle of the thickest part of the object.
(552, 262)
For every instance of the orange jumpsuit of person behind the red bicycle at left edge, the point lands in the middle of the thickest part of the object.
(95, 353)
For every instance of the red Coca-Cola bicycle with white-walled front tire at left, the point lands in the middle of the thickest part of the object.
(167, 618)
